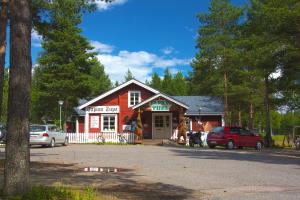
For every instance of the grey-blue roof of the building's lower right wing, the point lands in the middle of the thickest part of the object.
(208, 105)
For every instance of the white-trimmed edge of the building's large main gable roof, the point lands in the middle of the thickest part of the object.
(115, 90)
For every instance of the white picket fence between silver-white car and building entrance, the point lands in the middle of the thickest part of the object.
(80, 138)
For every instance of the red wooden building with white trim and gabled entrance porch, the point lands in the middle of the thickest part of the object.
(116, 111)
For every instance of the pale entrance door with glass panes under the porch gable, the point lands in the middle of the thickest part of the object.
(161, 125)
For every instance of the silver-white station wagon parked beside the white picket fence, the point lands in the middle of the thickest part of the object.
(47, 135)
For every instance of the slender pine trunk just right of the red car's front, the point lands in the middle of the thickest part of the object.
(268, 138)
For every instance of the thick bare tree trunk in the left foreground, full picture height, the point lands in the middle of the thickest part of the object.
(16, 172)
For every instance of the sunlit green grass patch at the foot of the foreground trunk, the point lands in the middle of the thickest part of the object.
(60, 193)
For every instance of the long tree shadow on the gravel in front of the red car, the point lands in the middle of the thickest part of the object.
(268, 156)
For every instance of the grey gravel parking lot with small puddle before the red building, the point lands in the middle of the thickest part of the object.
(147, 172)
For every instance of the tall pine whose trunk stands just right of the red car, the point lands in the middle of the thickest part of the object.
(266, 50)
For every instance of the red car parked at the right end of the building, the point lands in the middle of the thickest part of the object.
(232, 137)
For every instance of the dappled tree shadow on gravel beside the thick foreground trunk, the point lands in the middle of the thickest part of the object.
(119, 184)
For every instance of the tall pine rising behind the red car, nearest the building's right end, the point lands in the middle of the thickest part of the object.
(215, 63)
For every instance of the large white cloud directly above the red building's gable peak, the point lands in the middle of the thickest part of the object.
(140, 63)
